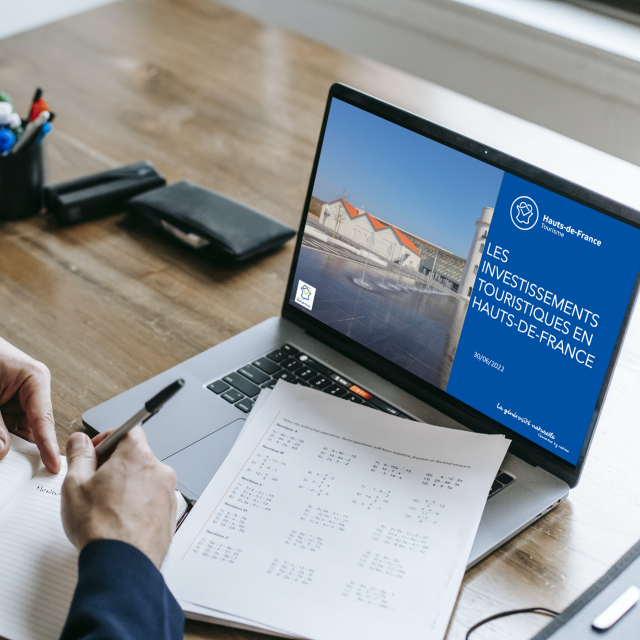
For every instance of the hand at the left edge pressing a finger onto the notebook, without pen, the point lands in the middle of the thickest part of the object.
(25, 404)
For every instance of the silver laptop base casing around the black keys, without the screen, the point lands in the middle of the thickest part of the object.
(194, 433)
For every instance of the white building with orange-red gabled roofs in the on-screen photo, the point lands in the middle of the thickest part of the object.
(384, 239)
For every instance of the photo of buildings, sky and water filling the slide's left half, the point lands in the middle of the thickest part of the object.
(393, 239)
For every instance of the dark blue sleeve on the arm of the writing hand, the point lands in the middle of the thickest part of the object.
(121, 596)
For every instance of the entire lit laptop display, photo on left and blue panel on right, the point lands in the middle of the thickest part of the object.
(499, 292)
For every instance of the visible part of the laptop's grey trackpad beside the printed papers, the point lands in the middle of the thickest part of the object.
(196, 464)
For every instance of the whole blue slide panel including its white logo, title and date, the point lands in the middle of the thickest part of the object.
(551, 292)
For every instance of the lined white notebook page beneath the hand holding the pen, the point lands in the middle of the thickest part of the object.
(38, 568)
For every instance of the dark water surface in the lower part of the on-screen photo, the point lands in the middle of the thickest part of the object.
(410, 323)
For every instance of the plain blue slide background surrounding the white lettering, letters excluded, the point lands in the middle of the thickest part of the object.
(550, 389)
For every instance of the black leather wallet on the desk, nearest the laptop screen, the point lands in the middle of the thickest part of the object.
(208, 222)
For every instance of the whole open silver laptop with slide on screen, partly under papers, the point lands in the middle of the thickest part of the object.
(438, 280)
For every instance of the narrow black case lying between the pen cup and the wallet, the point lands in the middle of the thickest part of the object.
(100, 194)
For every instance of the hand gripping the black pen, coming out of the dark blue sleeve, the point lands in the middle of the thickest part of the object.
(130, 498)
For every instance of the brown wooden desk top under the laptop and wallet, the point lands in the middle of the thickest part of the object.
(212, 96)
